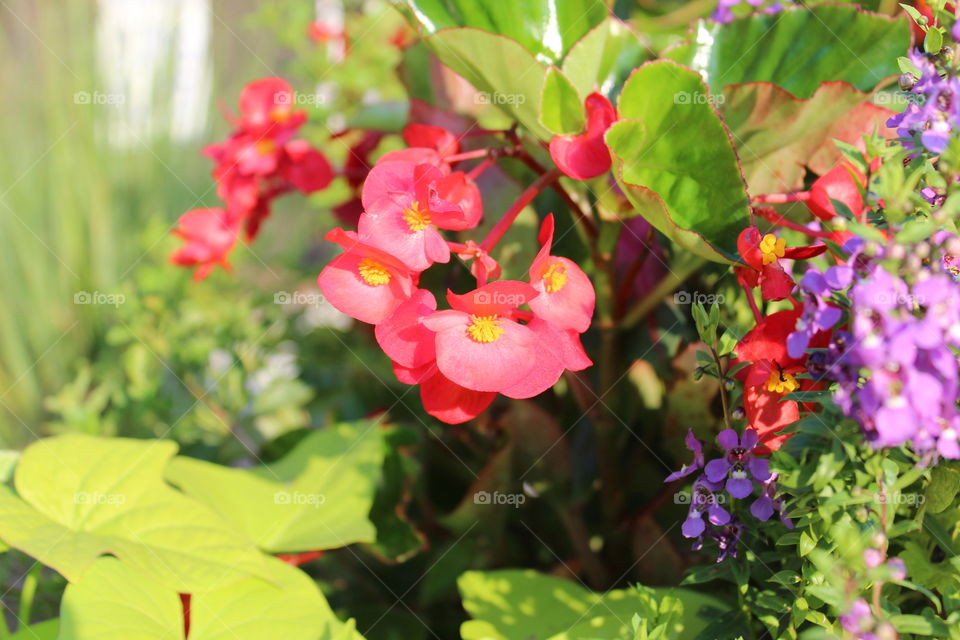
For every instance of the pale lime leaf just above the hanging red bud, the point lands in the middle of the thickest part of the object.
(604, 57)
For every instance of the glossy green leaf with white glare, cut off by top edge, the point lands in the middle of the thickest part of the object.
(545, 28)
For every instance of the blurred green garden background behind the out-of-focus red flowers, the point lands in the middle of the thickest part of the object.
(108, 106)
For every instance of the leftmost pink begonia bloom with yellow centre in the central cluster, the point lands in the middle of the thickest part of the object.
(364, 282)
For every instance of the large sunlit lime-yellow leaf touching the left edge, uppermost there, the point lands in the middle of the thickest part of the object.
(81, 497)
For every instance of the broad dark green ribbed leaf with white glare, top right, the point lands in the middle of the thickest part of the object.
(798, 49)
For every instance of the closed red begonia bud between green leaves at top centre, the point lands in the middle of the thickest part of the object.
(586, 155)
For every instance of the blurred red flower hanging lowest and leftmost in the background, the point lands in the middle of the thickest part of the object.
(209, 236)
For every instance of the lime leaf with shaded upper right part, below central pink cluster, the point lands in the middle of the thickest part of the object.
(317, 497)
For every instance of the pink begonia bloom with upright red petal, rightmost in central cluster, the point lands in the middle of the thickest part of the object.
(566, 297)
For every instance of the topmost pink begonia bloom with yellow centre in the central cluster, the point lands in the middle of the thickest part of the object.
(403, 211)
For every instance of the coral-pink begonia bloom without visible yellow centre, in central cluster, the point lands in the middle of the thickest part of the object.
(403, 337)
